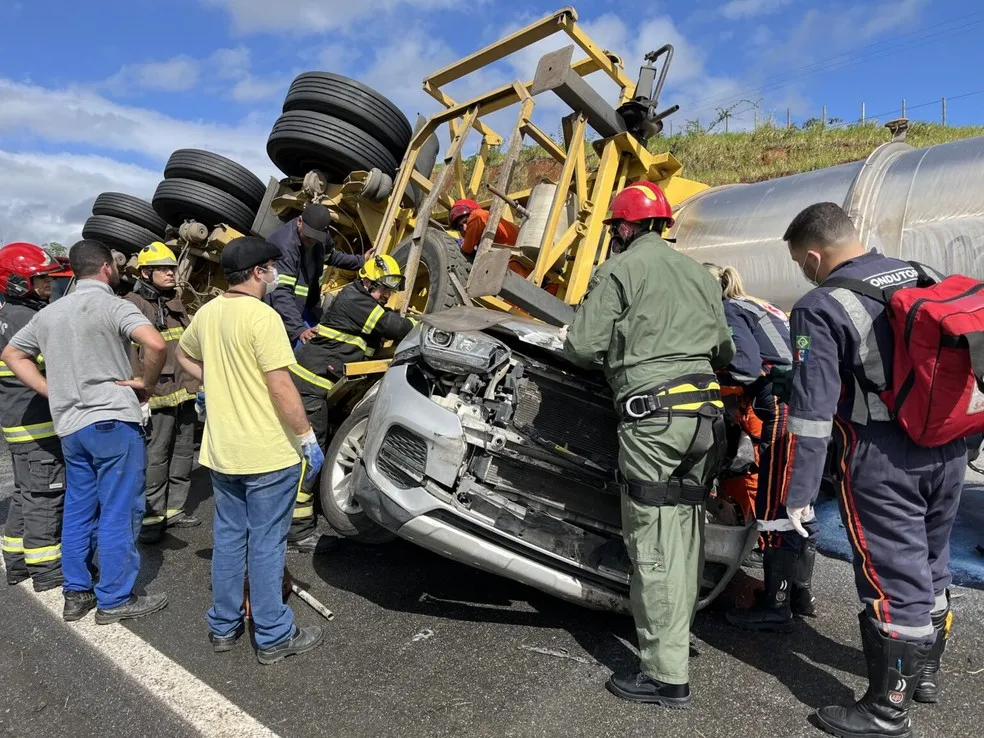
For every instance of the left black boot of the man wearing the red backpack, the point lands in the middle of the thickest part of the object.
(894, 667)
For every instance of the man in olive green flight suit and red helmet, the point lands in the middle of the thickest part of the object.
(667, 459)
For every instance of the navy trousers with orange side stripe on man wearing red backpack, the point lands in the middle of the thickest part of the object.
(898, 501)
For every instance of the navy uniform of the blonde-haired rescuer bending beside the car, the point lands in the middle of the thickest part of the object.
(761, 335)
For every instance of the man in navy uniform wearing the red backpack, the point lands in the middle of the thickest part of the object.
(898, 499)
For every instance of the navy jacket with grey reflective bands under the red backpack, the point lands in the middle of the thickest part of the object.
(842, 360)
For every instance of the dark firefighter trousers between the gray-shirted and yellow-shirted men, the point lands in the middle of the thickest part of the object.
(170, 453)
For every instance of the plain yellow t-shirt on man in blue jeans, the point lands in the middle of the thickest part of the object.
(238, 340)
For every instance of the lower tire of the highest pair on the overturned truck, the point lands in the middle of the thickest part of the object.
(302, 141)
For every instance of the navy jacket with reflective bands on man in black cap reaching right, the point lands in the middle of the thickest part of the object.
(300, 269)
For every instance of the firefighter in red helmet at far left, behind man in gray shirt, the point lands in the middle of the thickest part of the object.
(32, 534)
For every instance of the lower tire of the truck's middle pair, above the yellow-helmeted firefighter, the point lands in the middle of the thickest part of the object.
(178, 200)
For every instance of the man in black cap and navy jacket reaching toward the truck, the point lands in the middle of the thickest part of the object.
(305, 248)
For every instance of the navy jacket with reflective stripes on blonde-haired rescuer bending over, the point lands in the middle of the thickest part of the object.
(761, 335)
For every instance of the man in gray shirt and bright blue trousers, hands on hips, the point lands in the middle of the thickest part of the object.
(95, 406)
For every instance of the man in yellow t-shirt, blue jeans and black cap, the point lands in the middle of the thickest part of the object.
(257, 444)
